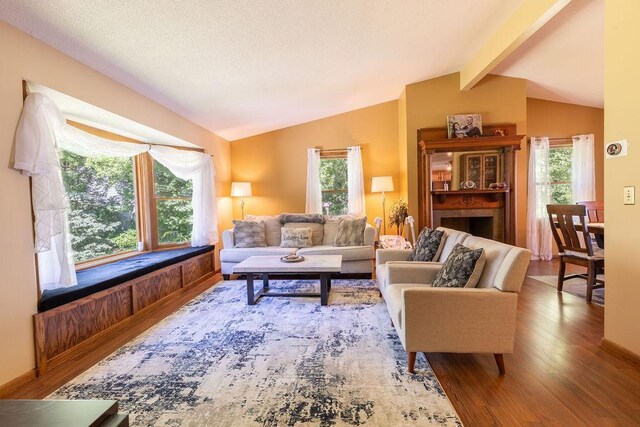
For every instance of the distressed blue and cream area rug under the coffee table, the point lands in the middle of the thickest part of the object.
(282, 362)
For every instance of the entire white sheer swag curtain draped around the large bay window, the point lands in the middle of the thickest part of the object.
(42, 131)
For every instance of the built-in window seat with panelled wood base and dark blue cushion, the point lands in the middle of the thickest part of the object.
(112, 298)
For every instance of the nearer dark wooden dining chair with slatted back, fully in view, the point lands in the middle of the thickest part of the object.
(575, 245)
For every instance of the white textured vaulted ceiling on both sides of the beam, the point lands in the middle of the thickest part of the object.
(241, 67)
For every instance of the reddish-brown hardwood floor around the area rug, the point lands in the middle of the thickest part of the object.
(558, 374)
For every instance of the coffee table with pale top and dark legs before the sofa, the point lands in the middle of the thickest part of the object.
(322, 265)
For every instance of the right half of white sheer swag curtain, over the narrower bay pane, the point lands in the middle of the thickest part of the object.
(197, 167)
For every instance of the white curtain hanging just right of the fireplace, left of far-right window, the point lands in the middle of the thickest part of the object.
(539, 238)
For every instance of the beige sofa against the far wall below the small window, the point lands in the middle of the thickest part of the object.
(356, 260)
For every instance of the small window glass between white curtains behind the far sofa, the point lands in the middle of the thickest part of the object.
(333, 183)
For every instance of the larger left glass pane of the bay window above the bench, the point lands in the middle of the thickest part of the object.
(102, 198)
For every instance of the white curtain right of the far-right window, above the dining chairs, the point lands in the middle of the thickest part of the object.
(583, 176)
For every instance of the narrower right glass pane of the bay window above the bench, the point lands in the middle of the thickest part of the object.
(173, 206)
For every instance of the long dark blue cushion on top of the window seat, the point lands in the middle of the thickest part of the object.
(103, 277)
